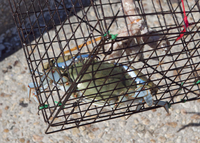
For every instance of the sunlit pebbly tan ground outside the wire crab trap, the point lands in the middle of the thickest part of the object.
(20, 122)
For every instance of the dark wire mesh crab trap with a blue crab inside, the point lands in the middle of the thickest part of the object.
(96, 60)
